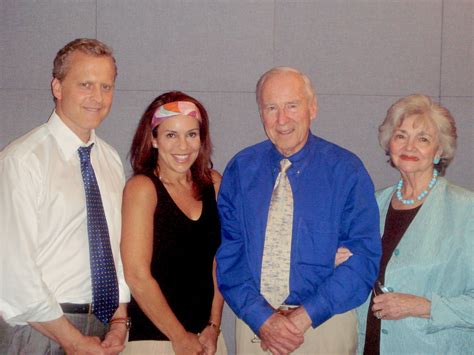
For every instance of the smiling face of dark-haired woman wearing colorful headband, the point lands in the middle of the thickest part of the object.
(178, 143)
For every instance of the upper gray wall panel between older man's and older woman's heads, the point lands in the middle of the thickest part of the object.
(362, 47)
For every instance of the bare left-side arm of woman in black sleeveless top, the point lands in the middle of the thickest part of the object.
(139, 203)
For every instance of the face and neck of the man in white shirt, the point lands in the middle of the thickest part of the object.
(84, 96)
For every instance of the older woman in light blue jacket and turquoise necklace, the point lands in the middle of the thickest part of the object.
(423, 300)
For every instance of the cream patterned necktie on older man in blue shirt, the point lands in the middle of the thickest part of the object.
(275, 277)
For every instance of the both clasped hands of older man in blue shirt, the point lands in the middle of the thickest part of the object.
(283, 332)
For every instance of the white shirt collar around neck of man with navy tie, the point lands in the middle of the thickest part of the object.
(67, 140)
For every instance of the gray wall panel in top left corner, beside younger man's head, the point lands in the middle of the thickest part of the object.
(33, 32)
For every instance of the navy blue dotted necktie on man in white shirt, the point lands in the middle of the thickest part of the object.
(105, 296)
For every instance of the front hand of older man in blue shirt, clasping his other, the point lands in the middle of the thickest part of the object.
(279, 335)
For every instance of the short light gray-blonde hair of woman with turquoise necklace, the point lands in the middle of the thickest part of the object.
(422, 106)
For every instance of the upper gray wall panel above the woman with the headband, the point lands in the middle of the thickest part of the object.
(191, 45)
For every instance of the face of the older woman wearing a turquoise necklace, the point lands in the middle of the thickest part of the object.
(414, 144)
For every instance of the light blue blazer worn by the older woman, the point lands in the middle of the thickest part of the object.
(435, 260)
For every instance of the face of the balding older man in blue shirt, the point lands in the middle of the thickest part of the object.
(286, 111)
